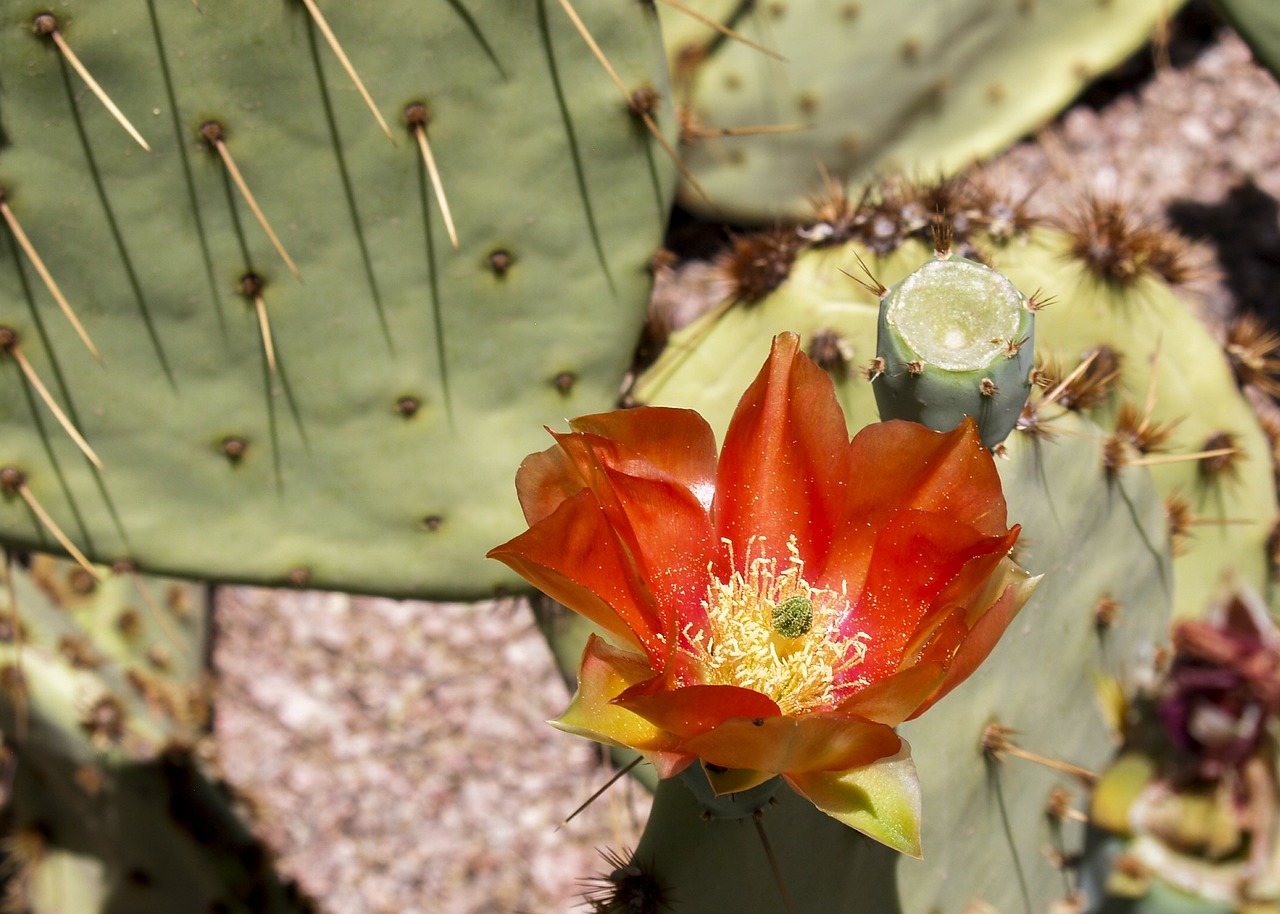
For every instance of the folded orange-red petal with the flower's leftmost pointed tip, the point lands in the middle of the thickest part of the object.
(575, 557)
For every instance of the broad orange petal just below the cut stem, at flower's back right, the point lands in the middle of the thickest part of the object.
(906, 465)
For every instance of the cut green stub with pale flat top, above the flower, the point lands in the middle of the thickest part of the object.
(957, 340)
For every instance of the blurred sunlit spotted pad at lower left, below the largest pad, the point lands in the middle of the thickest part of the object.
(109, 671)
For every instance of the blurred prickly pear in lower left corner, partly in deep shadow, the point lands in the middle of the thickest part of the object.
(104, 703)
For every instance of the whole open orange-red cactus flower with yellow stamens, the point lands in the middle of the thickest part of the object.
(780, 610)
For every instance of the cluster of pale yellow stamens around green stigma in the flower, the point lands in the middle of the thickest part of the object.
(772, 632)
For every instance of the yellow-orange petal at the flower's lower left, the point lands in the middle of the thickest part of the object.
(605, 674)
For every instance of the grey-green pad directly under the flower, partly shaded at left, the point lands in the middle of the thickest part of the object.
(1100, 540)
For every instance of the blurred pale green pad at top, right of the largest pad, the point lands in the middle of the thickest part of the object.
(915, 88)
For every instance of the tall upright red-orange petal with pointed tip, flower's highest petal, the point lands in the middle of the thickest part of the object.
(784, 467)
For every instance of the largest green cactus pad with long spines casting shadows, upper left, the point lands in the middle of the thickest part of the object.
(354, 426)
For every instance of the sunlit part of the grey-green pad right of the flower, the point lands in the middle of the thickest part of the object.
(1099, 541)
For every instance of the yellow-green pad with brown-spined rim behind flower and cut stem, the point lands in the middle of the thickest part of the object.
(710, 363)
